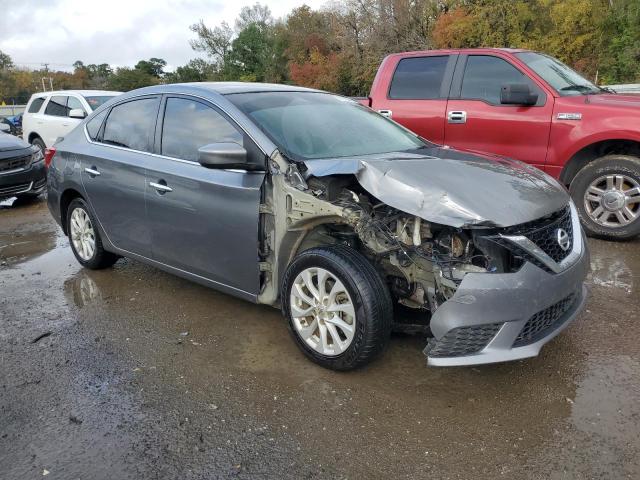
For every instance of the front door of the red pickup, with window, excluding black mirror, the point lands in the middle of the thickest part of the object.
(476, 120)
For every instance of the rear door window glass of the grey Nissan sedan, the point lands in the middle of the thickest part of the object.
(131, 124)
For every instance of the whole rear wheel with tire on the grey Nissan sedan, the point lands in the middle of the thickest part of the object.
(85, 239)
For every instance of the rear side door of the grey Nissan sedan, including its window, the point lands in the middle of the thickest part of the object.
(113, 171)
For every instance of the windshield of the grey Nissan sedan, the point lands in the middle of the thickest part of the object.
(308, 125)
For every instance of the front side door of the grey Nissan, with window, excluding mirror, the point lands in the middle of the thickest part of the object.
(203, 221)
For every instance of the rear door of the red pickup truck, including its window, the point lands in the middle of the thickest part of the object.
(417, 95)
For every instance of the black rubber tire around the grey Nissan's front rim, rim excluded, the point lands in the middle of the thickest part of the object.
(370, 297)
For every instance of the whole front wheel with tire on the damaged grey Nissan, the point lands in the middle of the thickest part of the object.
(338, 307)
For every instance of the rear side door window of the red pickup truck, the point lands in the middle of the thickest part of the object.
(418, 78)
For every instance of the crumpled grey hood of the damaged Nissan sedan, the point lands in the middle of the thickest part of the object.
(452, 187)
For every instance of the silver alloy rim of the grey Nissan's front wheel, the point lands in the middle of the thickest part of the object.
(322, 311)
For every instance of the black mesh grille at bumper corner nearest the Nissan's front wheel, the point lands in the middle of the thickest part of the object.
(463, 341)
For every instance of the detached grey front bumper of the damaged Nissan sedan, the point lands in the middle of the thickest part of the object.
(502, 317)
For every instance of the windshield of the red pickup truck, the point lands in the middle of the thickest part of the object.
(562, 78)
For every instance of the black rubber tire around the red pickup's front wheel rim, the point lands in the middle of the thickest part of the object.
(610, 164)
